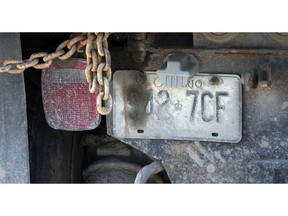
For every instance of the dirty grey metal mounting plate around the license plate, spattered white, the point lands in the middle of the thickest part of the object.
(265, 123)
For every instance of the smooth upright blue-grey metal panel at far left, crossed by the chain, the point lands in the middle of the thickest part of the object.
(14, 154)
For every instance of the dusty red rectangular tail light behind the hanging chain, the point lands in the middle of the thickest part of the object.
(68, 104)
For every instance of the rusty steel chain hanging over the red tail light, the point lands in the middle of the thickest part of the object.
(98, 70)
